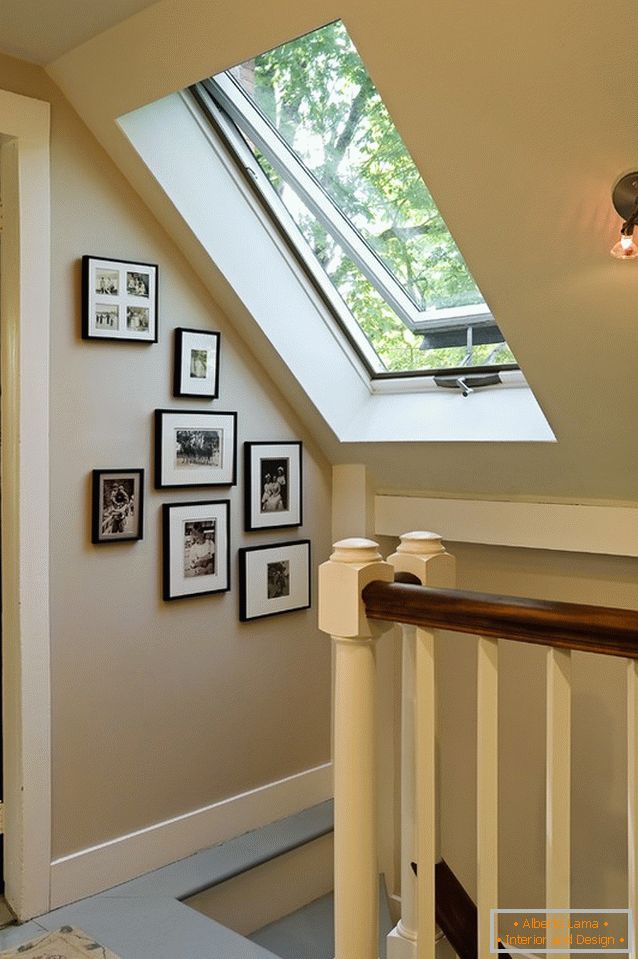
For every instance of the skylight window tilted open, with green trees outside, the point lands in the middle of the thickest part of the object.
(306, 120)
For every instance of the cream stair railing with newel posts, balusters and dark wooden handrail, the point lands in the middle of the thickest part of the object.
(361, 596)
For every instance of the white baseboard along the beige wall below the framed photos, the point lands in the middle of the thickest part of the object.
(89, 871)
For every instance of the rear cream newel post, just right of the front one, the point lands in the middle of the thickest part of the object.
(423, 555)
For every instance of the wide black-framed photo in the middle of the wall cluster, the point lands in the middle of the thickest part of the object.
(194, 448)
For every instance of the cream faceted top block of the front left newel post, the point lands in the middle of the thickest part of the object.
(353, 564)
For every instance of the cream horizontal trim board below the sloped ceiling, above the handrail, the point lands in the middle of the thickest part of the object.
(610, 530)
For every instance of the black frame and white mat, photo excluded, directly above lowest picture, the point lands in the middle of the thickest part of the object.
(256, 454)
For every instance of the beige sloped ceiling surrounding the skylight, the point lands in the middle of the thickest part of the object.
(520, 117)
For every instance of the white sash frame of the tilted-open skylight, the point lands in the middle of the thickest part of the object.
(248, 118)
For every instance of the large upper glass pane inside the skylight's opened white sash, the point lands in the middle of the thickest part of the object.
(317, 94)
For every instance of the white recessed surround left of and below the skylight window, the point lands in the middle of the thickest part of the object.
(240, 254)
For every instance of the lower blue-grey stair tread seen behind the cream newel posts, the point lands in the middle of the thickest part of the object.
(308, 933)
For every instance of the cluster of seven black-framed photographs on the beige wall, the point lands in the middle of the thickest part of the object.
(196, 448)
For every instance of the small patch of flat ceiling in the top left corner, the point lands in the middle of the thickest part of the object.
(42, 30)
